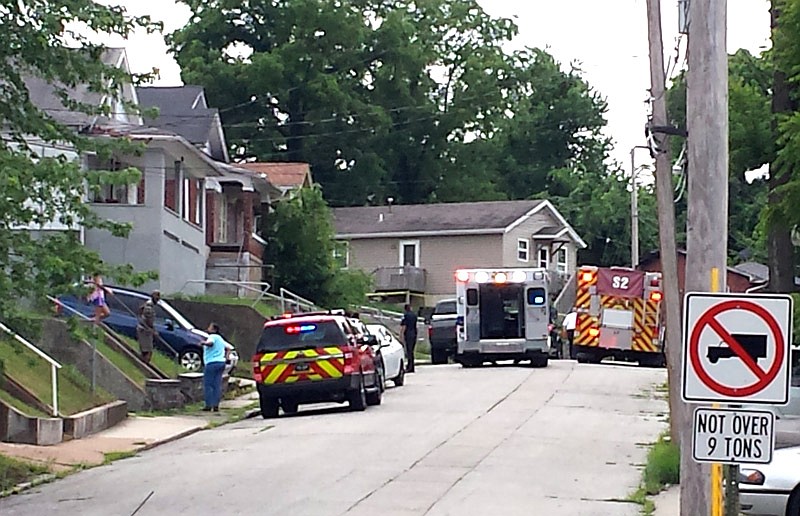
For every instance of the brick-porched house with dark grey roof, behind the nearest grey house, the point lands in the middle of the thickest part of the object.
(235, 202)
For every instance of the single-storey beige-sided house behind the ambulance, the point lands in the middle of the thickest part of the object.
(414, 250)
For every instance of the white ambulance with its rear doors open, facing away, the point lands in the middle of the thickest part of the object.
(503, 314)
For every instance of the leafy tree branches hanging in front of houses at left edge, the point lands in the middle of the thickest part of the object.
(41, 38)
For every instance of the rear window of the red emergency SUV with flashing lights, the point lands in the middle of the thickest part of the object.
(301, 335)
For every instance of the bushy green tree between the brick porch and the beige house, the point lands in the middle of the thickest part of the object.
(299, 234)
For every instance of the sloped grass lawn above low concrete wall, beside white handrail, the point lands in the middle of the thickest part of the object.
(74, 390)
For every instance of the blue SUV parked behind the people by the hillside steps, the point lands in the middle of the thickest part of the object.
(174, 328)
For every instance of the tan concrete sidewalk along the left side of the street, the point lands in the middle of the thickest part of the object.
(135, 434)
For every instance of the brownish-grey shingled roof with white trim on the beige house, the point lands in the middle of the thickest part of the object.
(443, 219)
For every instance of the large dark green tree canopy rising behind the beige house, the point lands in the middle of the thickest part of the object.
(417, 101)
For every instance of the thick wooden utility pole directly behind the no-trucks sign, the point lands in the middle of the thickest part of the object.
(707, 223)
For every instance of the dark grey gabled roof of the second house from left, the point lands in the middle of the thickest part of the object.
(183, 110)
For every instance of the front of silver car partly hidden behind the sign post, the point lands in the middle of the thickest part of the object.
(772, 489)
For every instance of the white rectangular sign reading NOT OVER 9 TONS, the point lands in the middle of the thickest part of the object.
(728, 436)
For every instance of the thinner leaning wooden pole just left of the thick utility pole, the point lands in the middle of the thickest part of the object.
(666, 221)
